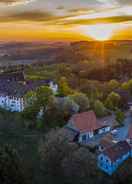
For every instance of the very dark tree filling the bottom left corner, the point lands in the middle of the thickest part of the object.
(11, 170)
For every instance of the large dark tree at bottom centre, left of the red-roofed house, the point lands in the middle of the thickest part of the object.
(52, 151)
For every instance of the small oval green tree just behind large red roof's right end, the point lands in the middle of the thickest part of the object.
(99, 108)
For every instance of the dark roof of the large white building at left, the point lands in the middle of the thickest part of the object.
(13, 84)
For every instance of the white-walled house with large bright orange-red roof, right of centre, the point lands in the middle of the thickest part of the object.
(87, 126)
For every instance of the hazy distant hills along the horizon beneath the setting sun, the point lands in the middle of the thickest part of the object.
(15, 53)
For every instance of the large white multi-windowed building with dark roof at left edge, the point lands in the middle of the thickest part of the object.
(13, 88)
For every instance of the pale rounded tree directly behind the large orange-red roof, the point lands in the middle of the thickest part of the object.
(82, 100)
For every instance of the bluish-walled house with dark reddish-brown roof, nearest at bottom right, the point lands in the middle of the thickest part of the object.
(112, 157)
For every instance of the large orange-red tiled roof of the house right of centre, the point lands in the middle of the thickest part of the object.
(86, 121)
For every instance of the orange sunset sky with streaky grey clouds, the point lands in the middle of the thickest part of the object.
(65, 19)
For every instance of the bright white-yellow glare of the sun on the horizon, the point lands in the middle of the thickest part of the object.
(100, 32)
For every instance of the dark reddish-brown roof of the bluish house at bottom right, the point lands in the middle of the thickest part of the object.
(117, 151)
